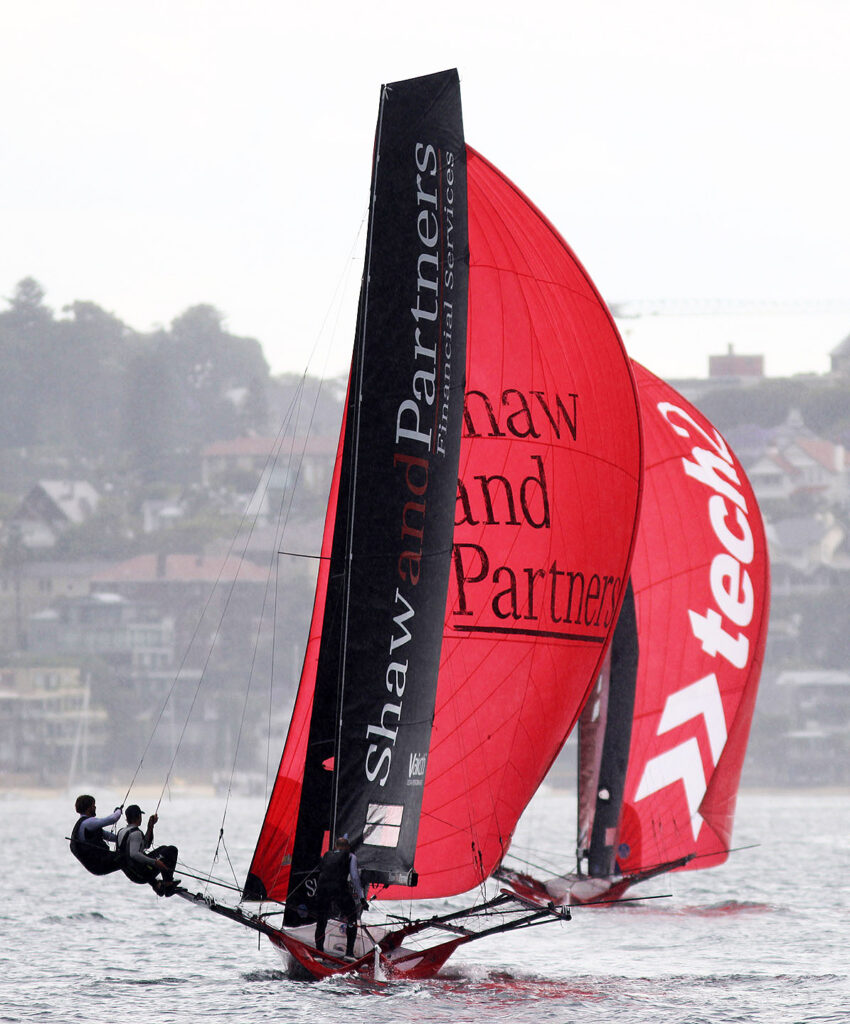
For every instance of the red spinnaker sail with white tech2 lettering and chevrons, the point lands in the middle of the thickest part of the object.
(701, 578)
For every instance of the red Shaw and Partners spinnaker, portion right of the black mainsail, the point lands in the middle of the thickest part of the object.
(548, 498)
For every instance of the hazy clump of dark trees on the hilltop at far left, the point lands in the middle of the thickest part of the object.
(87, 385)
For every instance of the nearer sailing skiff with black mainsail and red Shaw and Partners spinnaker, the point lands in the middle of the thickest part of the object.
(479, 537)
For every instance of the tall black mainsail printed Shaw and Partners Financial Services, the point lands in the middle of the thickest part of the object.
(405, 463)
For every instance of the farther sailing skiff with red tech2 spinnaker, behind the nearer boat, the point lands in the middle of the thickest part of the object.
(664, 734)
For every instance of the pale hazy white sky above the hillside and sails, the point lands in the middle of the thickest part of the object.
(160, 155)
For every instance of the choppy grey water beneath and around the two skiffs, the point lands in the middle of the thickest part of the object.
(763, 938)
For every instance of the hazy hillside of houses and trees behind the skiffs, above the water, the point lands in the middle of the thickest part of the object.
(142, 533)
